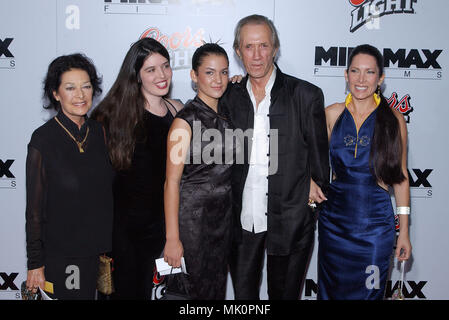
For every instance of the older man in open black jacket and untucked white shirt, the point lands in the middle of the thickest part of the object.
(285, 160)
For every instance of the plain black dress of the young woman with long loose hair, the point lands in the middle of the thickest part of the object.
(139, 221)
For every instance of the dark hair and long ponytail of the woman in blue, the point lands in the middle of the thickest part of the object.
(386, 147)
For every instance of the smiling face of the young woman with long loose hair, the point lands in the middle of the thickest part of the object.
(155, 75)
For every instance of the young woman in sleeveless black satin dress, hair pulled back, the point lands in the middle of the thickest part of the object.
(198, 193)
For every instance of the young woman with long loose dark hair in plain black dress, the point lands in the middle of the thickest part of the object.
(137, 116)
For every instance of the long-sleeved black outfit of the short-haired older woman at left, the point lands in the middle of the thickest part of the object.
(69, 204)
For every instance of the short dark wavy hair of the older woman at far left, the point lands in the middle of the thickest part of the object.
(63, 64)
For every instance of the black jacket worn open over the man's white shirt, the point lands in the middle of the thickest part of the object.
(297, 112)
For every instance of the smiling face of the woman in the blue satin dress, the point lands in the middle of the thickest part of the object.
(363, 76)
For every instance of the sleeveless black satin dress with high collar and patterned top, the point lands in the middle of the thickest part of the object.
(206, 202)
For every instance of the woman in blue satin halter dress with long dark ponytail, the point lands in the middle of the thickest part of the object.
(368, 146)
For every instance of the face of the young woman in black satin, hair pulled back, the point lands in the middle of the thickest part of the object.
(211, 78)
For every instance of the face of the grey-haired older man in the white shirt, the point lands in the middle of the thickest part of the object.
(256, 50)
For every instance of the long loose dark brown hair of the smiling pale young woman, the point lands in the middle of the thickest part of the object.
(121, 111)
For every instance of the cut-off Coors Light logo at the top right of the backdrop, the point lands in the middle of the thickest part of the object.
(367, 10)
